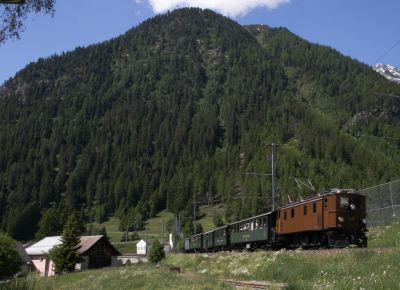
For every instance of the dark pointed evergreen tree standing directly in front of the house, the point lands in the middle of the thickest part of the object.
(65, 256)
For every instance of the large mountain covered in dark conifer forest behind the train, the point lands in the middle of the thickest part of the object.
(174, 111)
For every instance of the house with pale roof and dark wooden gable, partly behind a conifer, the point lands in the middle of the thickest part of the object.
(96, 252)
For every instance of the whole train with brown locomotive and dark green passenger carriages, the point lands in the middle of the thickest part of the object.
(335, 218)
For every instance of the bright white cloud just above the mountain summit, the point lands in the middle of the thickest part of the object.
(226, 7)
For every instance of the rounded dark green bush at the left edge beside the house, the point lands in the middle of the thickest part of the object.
(10, 260)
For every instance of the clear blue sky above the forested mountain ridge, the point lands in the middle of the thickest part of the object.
(362, 29)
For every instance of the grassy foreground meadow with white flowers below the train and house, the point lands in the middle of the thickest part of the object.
(376, 267)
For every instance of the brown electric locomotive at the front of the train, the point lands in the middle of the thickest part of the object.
(335, 218)
